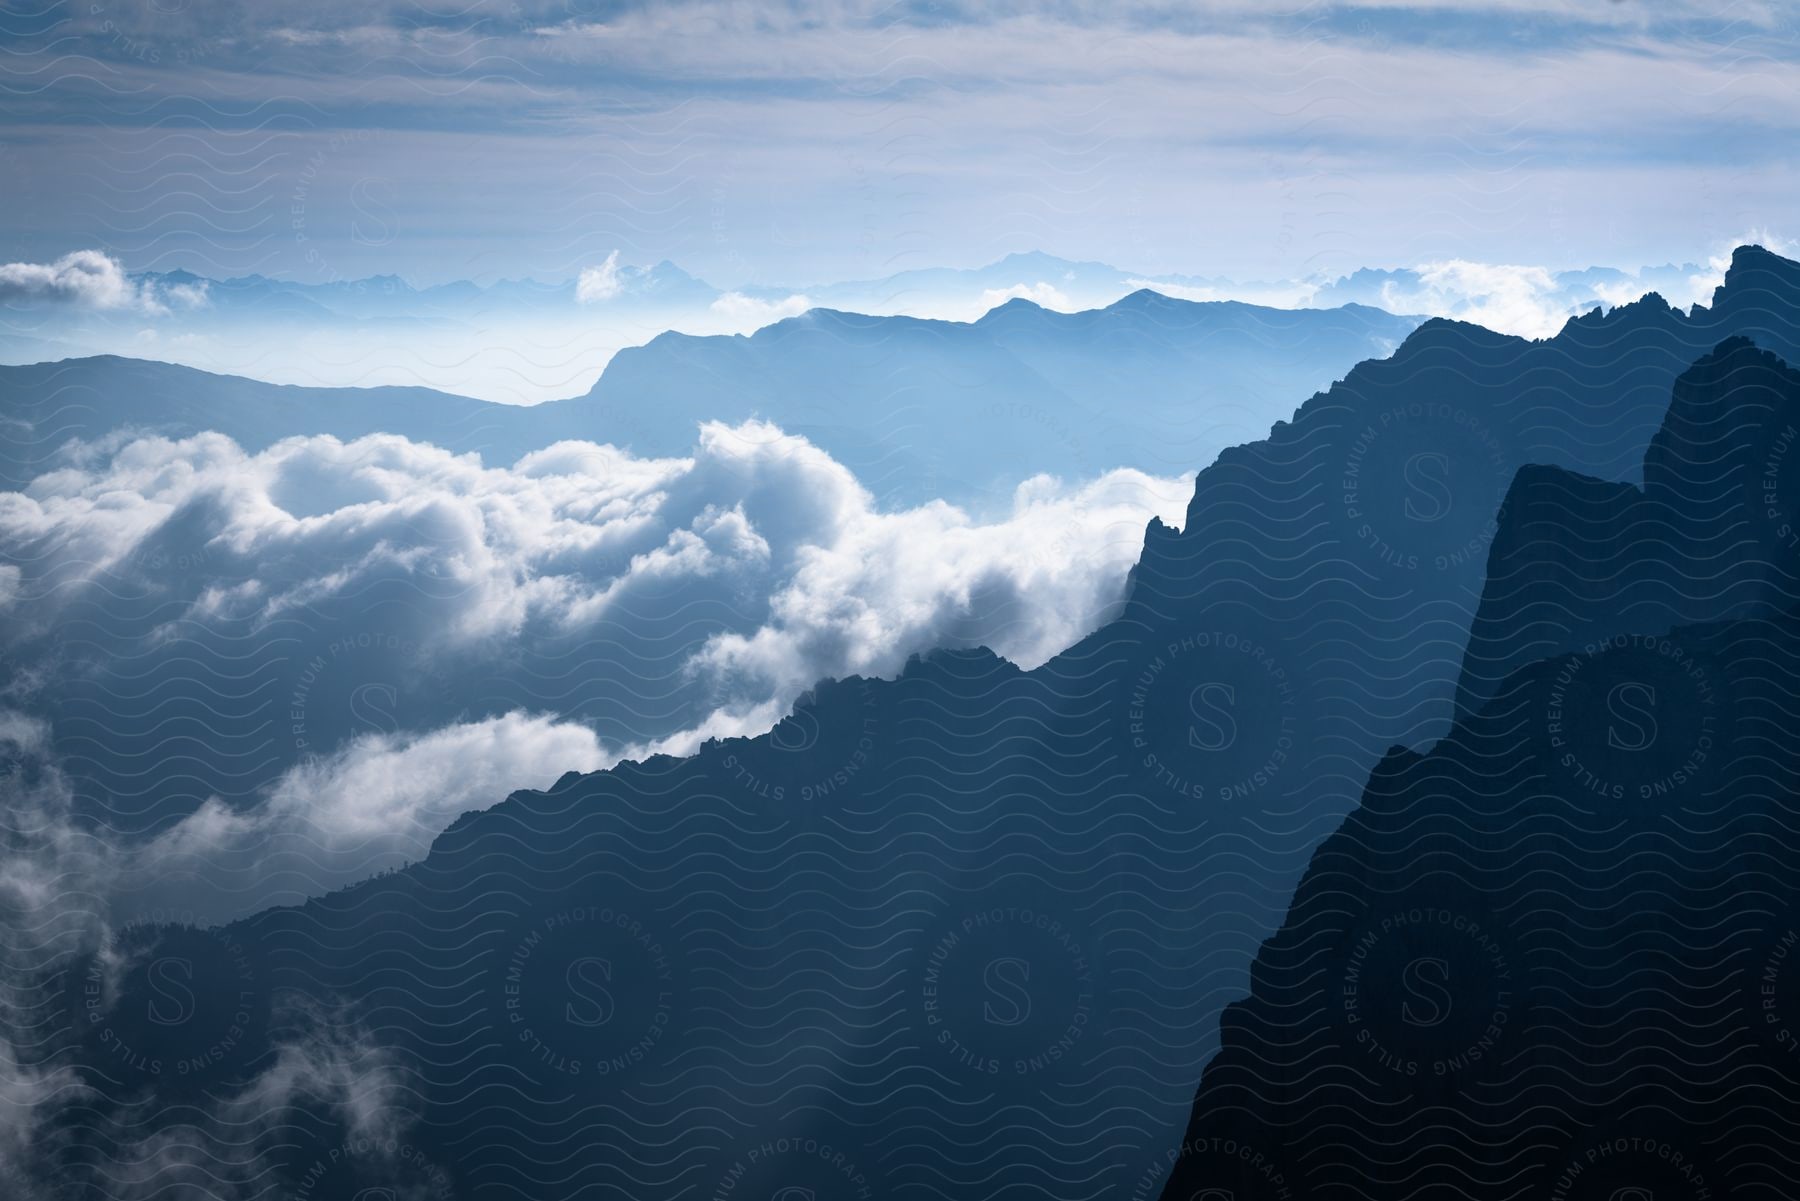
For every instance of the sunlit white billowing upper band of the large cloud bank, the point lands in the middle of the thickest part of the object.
(562, 539)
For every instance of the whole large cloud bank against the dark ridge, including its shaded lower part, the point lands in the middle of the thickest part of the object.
(411, 622)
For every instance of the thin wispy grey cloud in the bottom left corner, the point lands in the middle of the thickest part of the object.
(58, 885)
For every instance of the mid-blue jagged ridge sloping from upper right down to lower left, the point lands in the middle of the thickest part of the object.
(964, 934)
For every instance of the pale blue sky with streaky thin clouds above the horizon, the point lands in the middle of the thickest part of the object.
(832, 140)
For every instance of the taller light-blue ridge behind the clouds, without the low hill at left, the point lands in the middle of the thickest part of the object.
(926, 410)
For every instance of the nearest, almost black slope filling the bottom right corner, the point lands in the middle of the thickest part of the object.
(1554, 959)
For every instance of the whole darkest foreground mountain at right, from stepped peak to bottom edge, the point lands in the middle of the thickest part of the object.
(1558, 955)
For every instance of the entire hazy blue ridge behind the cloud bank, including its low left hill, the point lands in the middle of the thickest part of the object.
(919, 410)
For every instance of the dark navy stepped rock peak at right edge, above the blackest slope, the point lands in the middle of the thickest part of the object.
(1711, 534)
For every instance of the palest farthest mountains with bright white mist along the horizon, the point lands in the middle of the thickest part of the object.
(532, 341)
